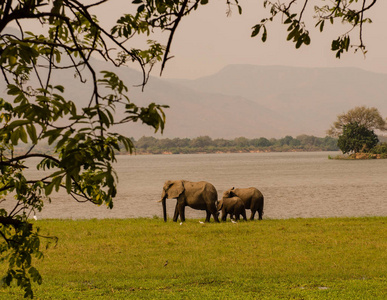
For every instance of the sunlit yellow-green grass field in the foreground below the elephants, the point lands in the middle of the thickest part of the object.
(333, 258)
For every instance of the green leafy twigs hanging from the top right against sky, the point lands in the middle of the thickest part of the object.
(292, 13)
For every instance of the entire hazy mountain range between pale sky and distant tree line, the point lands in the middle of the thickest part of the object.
(245, 100)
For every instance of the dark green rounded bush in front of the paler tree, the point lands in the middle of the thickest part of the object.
(357, 138)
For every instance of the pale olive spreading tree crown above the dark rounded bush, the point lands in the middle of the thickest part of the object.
(369, 117)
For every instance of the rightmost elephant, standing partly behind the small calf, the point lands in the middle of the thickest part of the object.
(251, 197)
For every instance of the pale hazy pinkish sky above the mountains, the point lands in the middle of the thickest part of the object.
(208, 40)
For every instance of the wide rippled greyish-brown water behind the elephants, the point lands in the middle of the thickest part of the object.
(293, 184)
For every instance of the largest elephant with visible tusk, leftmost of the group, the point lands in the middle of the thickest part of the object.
(200, 195)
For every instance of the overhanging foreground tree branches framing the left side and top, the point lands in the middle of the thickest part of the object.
(36, 108)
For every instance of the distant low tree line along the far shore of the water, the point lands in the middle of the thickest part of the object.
(205, 144)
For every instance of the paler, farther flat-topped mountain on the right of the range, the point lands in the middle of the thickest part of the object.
(310, 98)
